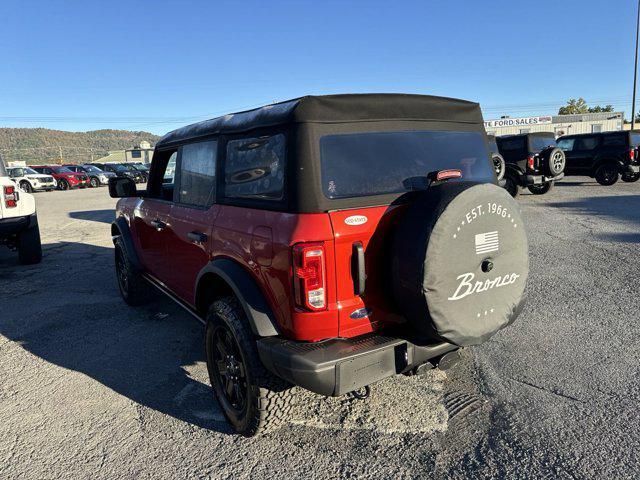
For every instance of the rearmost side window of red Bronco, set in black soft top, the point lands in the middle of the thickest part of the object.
(254, 168)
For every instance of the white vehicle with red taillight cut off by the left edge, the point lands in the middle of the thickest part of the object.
(18, 220)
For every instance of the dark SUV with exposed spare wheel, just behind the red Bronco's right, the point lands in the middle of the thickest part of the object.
(533, 161)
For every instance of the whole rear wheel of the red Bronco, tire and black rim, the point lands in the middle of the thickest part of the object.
(252, 399)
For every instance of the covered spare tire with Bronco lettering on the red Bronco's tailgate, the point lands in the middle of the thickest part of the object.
(460, 262)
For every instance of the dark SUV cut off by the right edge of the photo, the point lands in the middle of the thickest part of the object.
(604, 156)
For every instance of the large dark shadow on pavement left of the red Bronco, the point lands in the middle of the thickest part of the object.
(68, 311)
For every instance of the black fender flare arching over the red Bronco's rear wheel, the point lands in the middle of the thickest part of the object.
(245, 288)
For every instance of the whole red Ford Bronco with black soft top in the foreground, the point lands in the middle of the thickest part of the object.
(326, 242)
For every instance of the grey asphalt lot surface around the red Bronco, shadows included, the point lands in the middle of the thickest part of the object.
(92, 388)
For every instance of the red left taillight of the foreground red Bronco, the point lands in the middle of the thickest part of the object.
(309, 276)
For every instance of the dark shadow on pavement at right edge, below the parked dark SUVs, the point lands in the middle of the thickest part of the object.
(622, 208)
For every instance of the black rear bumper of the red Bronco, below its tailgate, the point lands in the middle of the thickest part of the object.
(338, 366)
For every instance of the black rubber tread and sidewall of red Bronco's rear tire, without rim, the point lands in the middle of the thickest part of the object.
(269, 399)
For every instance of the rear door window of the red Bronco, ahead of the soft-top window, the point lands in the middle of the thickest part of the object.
(197, 174)
